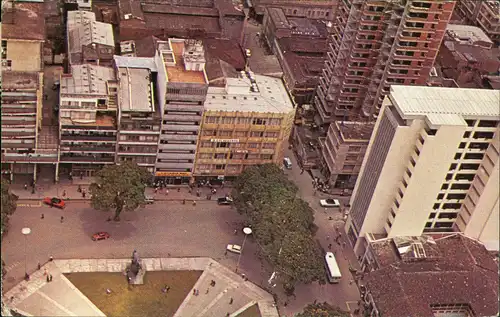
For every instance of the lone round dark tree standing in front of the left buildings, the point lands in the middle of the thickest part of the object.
(119, 187)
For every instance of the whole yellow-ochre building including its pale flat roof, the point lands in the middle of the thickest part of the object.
(247, 122)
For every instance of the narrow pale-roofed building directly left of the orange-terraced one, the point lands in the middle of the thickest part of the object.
(139, 117)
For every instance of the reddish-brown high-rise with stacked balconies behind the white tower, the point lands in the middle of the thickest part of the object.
(377, 44)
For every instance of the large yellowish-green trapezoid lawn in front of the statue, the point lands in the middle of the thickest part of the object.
(136, 300)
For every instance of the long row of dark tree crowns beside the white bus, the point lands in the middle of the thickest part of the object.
(282, 223)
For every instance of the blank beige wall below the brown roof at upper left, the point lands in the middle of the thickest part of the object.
(26, 56)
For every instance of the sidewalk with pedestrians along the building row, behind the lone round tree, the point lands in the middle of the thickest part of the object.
(69, 191)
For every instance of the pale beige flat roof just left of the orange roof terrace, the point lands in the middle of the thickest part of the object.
(135, 90)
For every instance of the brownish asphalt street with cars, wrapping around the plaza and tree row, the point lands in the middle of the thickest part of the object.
(170, 228)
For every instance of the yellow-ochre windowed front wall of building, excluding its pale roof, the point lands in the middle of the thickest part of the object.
(248, 143)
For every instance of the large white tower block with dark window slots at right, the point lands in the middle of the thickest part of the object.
(432, 165)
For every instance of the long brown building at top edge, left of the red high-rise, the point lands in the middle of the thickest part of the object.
(313, 9)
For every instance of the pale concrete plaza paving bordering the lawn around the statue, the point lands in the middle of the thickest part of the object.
(230, 295)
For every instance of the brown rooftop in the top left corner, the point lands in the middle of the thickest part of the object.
(24, 21)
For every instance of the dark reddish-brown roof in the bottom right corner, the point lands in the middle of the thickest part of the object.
(458, 270)
